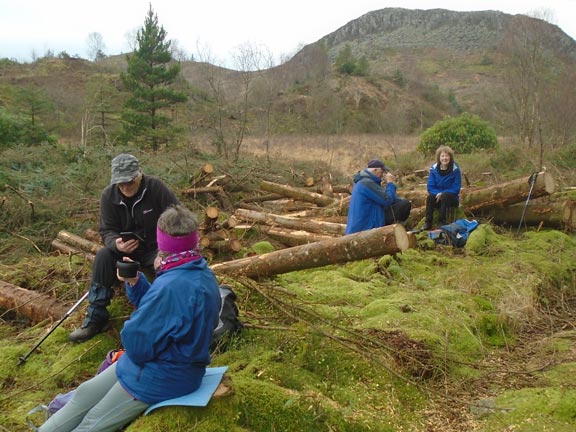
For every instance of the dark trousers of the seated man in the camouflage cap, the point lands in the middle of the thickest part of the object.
(103, 277)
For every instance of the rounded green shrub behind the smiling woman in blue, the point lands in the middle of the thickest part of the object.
(465, 134)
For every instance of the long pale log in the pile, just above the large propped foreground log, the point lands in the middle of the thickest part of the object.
(290, 222)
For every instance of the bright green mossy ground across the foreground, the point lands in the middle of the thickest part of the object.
(433, 339)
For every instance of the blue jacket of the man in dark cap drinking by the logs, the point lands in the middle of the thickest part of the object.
(368, 201)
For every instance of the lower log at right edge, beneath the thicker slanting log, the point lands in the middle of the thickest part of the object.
(561, 215)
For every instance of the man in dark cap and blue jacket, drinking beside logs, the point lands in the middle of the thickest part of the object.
(373, 206)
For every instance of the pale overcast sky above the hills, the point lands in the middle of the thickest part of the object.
(214, 27)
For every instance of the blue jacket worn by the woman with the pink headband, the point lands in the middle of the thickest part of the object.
(167, 338)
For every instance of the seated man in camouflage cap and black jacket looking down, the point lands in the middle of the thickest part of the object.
(132, 202)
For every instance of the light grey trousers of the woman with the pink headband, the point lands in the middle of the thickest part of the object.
(99, 405)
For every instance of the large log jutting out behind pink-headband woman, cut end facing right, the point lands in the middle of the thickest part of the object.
(390, 239)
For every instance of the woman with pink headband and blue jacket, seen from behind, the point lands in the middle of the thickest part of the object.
(167, 338)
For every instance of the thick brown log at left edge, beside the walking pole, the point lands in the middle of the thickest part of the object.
(36, 306)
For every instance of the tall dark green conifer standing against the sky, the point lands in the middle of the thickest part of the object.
(150, 78)
